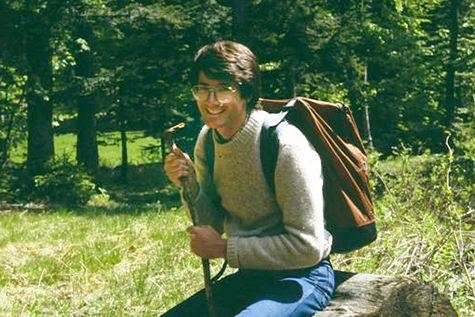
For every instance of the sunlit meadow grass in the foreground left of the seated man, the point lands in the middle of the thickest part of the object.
(124, 262)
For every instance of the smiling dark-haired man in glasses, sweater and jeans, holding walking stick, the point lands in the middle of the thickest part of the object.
(276, 238)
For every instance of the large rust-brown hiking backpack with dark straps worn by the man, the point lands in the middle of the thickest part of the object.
(332, 130)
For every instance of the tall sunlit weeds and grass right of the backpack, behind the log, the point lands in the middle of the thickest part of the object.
(424, 206)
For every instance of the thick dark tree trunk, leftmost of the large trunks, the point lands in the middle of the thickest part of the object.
(38, 87)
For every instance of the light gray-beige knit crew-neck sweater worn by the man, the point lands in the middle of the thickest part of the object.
(265, 230)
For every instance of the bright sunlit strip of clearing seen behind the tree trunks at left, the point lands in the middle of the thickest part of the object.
(110, 152)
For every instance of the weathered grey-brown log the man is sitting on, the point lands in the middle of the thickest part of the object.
(386, 296)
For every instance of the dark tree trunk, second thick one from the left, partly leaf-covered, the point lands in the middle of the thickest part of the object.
(87, 152)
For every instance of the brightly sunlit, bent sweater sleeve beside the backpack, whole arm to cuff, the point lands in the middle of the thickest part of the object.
(303, 241)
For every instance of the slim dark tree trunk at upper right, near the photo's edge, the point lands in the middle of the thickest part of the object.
(451, 101)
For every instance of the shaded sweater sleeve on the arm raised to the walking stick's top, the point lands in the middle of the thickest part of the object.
(206, 205)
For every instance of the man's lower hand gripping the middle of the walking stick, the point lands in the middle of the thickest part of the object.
(206, 242)
